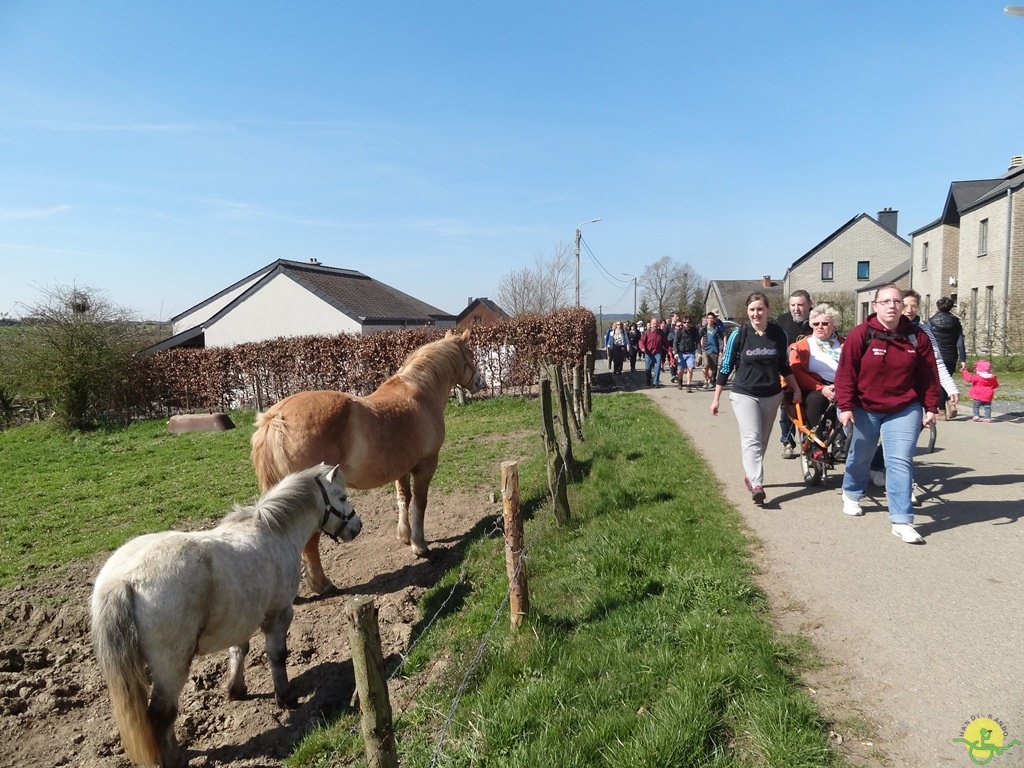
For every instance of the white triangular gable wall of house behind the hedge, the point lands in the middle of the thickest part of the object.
(282, 308)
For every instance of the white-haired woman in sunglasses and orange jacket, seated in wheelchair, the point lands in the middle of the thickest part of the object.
(815, 360)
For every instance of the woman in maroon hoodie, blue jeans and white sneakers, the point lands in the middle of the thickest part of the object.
(886, 375)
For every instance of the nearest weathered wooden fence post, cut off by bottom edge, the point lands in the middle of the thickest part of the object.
(368, 663)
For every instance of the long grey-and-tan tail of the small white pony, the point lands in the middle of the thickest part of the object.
(116, 642)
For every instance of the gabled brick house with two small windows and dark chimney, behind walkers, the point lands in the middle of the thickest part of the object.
(852, 258)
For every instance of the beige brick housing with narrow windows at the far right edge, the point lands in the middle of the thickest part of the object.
(974, 254)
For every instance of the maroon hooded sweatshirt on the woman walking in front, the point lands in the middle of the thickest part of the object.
(887, 373)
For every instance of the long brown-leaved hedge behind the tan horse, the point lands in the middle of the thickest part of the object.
(259, 374)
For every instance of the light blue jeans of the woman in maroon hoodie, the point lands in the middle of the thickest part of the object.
(900, 435)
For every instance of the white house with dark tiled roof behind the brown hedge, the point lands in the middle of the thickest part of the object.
(294, 298)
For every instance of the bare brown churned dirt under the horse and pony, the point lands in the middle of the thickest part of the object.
(54, 705)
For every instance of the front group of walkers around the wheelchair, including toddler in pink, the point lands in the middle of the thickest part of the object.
(889, 379)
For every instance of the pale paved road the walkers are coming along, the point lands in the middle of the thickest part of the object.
(922, 641)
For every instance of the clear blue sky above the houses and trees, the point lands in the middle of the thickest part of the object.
(161, 152)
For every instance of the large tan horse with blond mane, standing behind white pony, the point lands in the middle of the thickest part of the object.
(395, 434)
